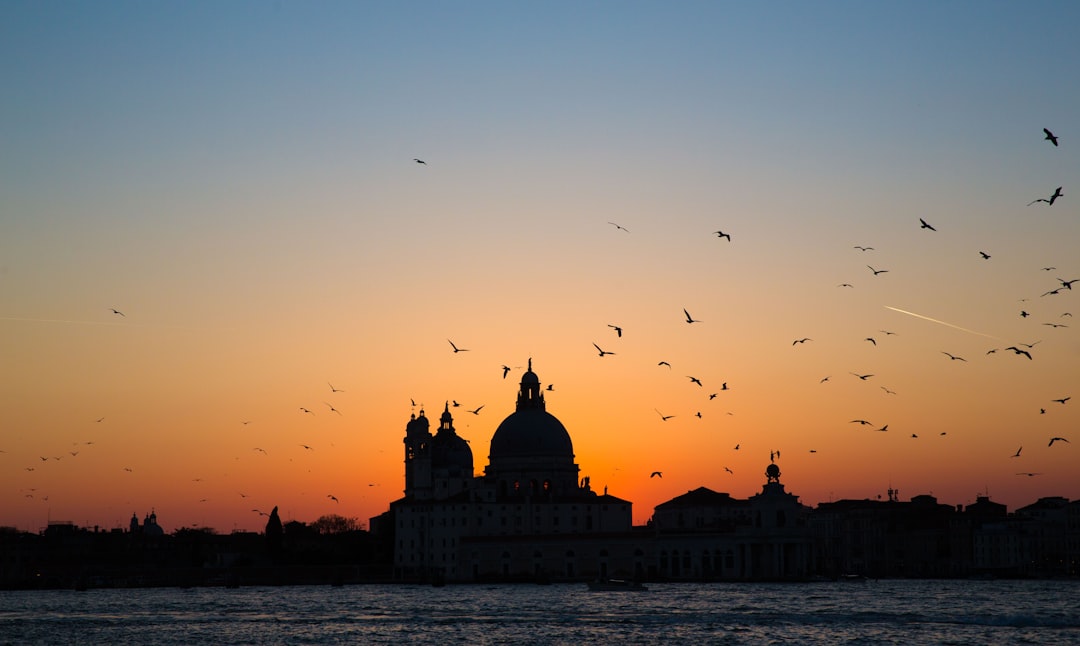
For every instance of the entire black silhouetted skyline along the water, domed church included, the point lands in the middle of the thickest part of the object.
(531, 517)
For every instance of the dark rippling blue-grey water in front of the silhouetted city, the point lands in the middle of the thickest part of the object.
(832, 613)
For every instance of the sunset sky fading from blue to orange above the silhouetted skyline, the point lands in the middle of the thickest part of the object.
(239, 181)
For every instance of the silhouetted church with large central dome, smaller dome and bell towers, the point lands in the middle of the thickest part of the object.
(530, 516)
